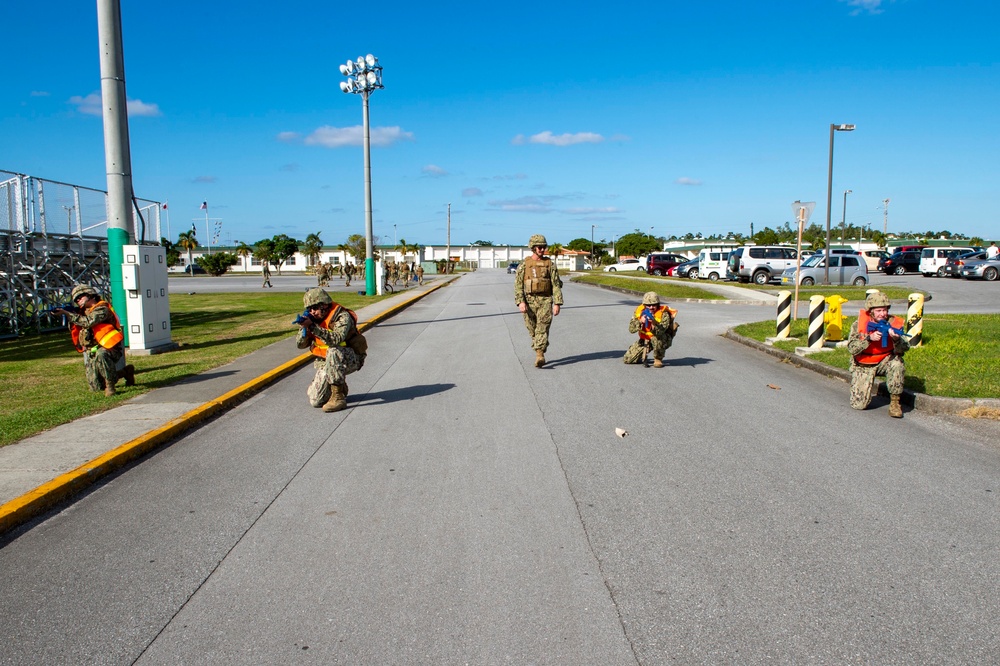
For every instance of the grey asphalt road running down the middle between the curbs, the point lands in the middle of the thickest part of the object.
(470, 508)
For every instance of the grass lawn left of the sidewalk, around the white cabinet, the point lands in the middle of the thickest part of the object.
(42, 384)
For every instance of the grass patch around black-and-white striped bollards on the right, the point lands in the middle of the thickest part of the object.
(959, 358)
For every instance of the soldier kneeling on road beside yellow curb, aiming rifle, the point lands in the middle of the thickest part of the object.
(330, 332)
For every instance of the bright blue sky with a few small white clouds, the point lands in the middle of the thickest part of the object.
(526, 116)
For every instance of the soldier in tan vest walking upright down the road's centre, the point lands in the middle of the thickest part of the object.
(538, 295)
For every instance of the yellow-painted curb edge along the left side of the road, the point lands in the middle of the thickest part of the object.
(34, 502)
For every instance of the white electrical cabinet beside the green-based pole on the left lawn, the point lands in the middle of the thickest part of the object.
(144, 277)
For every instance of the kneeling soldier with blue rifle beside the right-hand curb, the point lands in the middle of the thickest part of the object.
(877, 354)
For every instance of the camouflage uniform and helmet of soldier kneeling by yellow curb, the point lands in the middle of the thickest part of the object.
(344, 354)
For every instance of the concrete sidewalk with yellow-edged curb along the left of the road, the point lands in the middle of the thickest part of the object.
(41, 471)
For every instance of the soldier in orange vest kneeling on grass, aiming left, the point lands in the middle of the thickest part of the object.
(97, 334)
